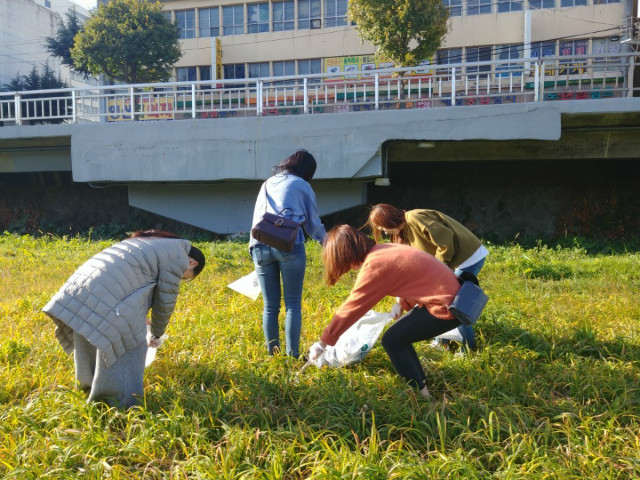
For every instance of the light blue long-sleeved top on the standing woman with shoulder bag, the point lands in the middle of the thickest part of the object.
(291, 197)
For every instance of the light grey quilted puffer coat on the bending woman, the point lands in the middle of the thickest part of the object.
(107, 299)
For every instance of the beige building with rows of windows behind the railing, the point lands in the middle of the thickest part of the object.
(233, 39)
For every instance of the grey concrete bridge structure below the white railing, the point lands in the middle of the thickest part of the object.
(206, 172)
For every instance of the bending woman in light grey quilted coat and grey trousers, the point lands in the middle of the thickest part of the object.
(100, 312)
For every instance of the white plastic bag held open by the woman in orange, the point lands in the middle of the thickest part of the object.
(356, 342)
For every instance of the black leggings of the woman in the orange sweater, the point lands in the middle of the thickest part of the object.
(399, 338)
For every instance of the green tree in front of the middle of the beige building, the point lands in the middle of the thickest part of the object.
(404, 31)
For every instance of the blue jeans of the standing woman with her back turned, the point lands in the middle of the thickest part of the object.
(271, 264)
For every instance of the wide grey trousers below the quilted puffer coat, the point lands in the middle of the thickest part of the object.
(119, 385)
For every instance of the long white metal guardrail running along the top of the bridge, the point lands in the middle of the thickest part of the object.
(478, 83)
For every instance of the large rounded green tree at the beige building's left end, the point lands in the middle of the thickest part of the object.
(131, 41)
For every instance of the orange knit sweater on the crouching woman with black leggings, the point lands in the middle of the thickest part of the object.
(400, 271)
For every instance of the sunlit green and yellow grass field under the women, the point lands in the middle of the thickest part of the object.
(552, 393)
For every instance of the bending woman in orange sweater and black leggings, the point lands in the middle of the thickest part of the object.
(424, 285)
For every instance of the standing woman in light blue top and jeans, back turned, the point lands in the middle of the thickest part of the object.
(289, 194)
